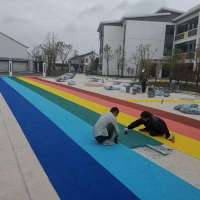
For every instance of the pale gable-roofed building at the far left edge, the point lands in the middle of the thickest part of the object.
(15, 53)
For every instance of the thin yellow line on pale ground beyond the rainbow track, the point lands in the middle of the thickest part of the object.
(164, 101)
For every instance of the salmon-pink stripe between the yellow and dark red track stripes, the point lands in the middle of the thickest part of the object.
(174, 125)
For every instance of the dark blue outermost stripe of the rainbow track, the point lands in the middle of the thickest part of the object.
(74, 174)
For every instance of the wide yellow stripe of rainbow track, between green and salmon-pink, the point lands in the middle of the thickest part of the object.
(183, 143)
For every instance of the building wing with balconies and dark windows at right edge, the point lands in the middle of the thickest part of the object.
(187, 38)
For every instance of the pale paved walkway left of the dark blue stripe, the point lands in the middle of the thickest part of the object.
(22, 177)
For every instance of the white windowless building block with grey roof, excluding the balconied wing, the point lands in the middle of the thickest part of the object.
(155, 31)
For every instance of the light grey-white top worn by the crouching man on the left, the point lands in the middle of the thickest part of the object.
(103, 122)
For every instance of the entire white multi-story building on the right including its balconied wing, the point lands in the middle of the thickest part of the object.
(162, 31)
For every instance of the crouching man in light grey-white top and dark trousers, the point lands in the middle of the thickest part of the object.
(106, 129)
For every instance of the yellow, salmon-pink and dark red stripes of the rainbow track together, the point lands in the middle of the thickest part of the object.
(187, 136)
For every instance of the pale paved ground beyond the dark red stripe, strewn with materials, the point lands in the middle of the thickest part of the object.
(82, 83)
